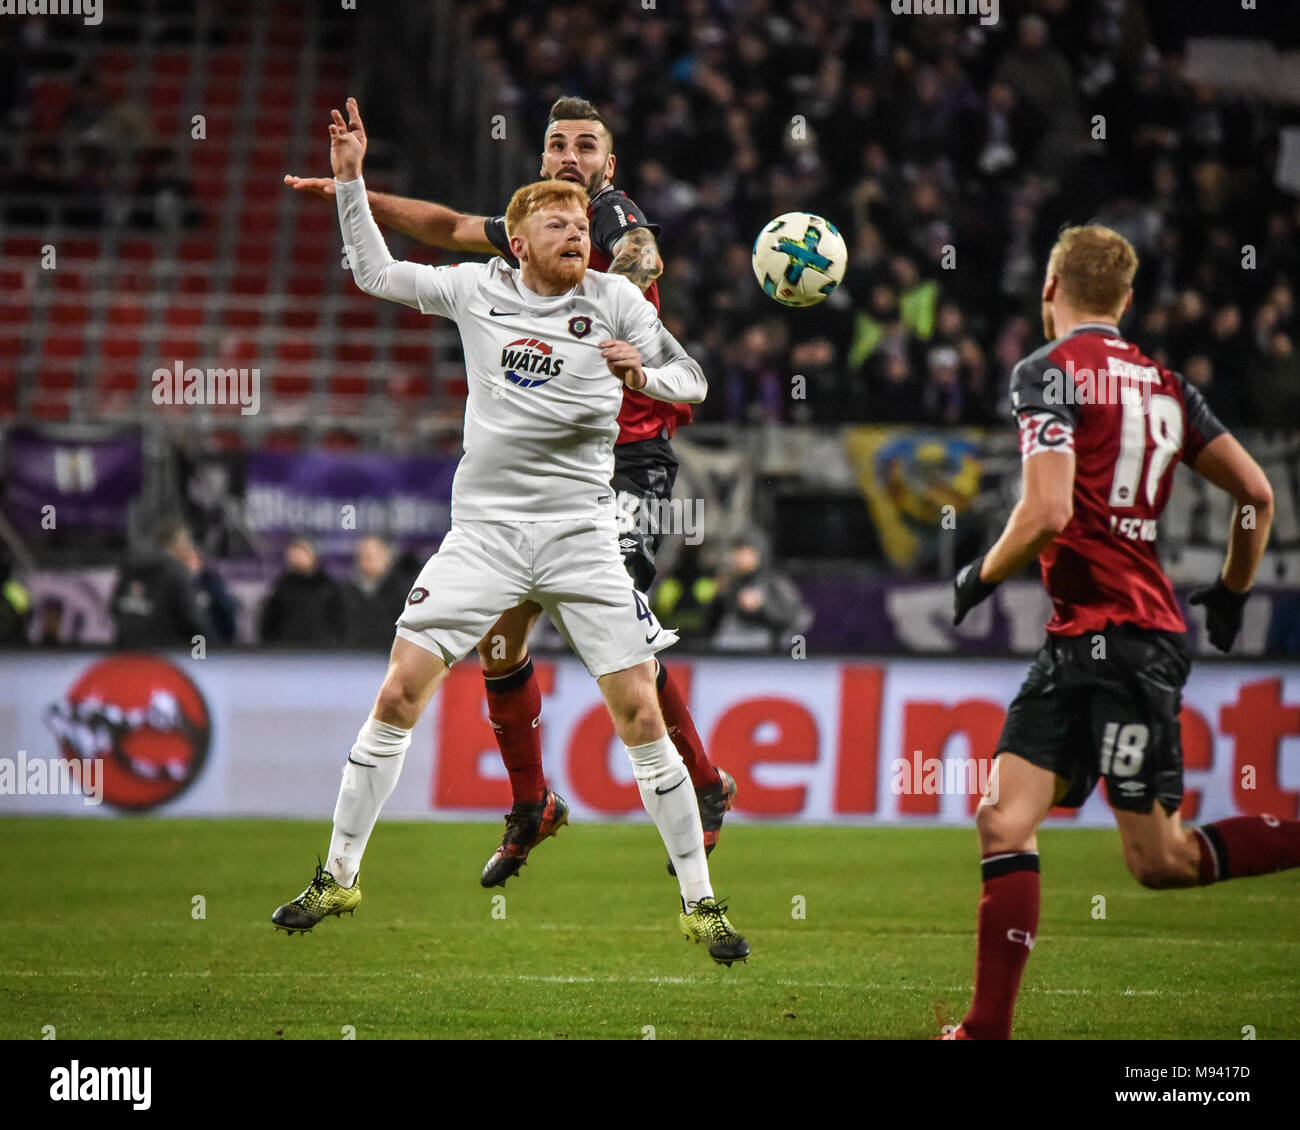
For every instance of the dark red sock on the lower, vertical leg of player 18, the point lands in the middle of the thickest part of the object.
(1008, 921)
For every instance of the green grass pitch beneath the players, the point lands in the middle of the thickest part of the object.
(99, 938)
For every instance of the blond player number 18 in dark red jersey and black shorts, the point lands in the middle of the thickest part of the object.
(1102, 431)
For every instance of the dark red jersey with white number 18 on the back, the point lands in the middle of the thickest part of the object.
(1129, 423)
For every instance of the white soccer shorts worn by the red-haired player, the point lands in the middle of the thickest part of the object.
(571, 568)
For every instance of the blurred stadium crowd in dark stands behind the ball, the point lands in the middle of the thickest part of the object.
(950, 155)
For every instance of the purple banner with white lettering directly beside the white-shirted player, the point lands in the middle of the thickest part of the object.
(337, 497)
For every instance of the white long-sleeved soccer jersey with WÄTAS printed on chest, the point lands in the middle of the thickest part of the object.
(541, 418)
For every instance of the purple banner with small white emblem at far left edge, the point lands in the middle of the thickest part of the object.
(90, 483)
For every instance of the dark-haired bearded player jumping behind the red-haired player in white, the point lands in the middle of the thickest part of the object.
(579, 148)
